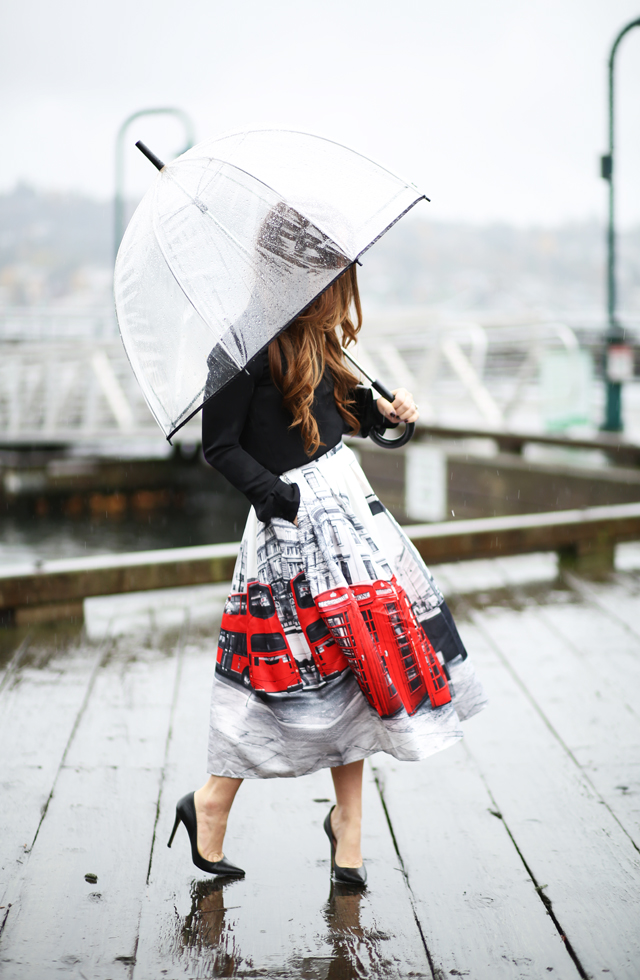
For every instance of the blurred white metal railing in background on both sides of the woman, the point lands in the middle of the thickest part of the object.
(78, 386)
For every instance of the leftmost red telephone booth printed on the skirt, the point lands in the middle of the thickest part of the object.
(339, 609)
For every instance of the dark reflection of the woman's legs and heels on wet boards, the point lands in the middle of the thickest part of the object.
(348, 949)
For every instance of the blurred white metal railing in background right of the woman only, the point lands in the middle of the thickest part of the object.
(469, 372)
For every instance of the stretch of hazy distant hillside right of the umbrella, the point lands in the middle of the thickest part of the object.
(499, 267)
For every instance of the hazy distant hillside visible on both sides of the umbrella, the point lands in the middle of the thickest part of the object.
(57, 248)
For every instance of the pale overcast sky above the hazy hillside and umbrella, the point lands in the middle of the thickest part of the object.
(495, 108)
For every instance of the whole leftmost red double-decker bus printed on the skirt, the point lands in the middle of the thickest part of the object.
(253, 649)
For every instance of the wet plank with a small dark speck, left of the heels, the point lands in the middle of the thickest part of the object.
(100, 820)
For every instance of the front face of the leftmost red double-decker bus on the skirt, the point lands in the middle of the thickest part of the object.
(272, 667)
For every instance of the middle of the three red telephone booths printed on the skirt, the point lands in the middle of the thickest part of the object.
(383, 616)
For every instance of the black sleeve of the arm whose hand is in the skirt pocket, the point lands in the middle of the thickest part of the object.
(223, 419)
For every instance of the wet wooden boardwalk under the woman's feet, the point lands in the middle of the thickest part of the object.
(513, 855)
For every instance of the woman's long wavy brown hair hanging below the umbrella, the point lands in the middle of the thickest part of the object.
(299, 356)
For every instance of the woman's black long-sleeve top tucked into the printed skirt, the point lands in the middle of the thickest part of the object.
(247, 435)
